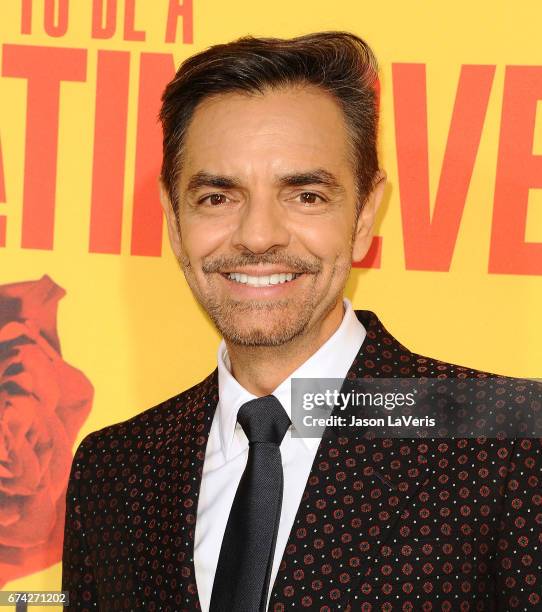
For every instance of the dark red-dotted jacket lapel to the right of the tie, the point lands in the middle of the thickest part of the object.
(357, 490)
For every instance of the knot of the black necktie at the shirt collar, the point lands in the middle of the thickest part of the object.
(264, 420)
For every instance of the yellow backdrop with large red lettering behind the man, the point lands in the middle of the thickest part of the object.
(128, 320)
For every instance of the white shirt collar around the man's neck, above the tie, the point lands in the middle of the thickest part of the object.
(332, 360)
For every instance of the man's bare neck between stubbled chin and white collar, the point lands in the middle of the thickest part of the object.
(261, 369)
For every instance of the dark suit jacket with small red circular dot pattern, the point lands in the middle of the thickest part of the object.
(384, 524)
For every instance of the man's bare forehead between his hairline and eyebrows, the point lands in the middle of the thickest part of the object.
(281, 130)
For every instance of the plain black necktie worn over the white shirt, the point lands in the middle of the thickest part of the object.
(246, 556)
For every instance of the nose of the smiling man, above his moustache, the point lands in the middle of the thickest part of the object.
(262, 225)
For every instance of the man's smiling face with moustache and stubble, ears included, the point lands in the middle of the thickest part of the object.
(267, 214)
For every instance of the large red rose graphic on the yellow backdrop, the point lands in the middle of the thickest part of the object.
(43, 403)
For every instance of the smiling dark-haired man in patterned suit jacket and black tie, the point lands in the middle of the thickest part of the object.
(270, 185)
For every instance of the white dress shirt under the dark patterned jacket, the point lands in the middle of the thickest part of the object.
(227, 451)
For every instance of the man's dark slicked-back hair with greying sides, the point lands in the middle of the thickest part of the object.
(340, 63)
